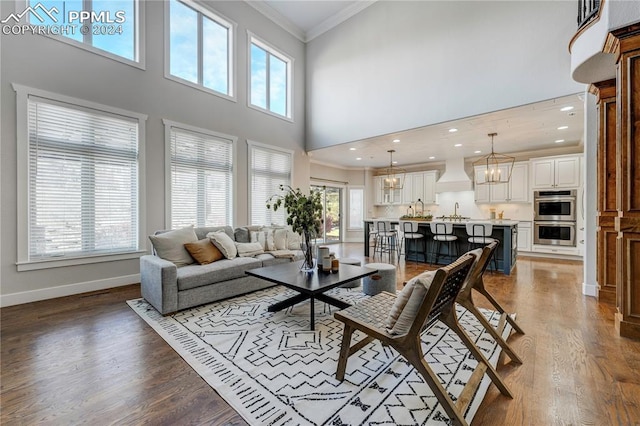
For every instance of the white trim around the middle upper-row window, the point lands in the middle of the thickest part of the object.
(231, 66)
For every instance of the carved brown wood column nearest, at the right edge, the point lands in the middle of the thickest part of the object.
(625, 43)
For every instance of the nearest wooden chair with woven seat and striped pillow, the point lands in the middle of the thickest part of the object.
(398, 321)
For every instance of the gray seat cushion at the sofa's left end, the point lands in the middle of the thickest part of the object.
(193, 276)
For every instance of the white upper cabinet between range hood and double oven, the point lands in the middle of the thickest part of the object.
(515, 191)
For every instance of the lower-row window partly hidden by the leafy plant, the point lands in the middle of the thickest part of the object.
(269, 167)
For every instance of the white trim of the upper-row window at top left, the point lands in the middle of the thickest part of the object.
(139, 43)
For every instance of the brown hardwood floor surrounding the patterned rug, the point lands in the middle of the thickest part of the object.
(90, 359)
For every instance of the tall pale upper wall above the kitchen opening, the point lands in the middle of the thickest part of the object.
(402, 64)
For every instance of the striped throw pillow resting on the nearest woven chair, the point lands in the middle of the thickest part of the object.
(408, 303)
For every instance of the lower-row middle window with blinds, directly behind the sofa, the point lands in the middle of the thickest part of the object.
(201, 171)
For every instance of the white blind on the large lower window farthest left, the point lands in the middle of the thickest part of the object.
(83, 181)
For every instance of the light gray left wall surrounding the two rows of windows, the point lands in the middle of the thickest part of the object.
(47, 64)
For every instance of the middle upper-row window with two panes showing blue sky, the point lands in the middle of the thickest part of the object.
(200, 47)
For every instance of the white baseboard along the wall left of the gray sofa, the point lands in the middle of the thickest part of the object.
(66, 290)
